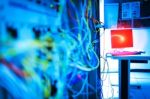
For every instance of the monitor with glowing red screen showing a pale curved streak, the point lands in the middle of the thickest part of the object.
(121, 38)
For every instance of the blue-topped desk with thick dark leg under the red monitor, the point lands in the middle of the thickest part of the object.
(124, 72)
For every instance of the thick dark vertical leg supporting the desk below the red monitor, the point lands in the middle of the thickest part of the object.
(124, 79)
